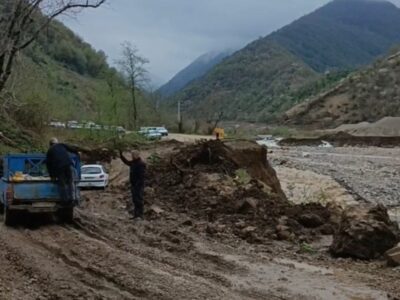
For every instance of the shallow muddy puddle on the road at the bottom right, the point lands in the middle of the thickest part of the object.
(291, 279)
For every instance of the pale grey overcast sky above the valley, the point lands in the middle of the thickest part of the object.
(172, 33)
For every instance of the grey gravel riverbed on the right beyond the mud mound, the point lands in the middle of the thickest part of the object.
(369, 174)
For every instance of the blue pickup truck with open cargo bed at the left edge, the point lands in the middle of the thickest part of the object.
(25, 185)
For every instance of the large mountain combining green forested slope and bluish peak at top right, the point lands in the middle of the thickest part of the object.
(270, 75)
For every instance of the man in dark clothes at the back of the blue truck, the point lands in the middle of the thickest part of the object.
(60, 167)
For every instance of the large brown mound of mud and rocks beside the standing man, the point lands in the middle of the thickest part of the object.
(230, 188)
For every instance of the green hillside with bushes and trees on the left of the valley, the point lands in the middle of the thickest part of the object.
(62, 77)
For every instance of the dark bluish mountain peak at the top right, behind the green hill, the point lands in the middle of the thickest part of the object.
(342, 34)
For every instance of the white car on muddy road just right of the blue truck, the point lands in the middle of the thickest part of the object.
(93, 176)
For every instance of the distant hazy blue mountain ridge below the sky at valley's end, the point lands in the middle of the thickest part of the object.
(193, 71)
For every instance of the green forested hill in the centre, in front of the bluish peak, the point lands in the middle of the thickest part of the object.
(253, 83)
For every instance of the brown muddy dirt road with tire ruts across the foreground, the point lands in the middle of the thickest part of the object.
(104, 255)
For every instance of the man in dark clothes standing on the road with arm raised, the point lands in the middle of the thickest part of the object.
(136, 177)
